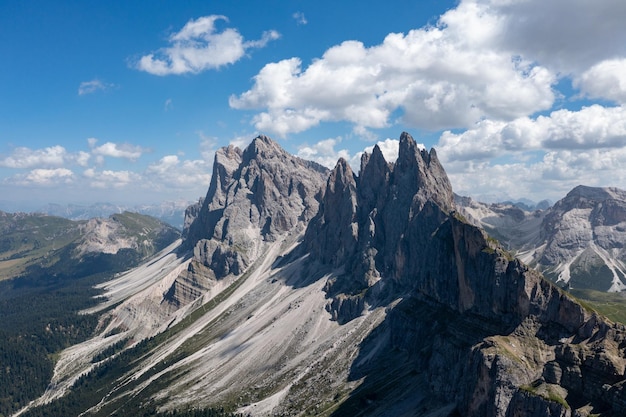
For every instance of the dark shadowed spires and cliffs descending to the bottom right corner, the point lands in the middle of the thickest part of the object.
(480, 329)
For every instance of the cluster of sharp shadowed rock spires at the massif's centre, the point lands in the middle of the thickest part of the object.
(366, 223)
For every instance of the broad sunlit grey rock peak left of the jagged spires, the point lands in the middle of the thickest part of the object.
(255, 195)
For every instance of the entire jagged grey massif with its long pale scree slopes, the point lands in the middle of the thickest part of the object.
(303, 291)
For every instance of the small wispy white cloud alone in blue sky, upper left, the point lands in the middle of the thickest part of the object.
(200, 46)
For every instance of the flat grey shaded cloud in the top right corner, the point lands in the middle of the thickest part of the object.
(568, 36)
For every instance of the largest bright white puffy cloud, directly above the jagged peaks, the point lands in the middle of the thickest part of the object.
(447, 76)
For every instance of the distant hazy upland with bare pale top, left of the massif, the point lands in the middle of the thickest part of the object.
(43, 240)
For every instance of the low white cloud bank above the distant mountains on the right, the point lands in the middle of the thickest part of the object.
(538, 158)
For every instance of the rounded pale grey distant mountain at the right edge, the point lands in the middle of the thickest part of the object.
(583, 236)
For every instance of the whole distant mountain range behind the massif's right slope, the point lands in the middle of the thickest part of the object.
(578, 242)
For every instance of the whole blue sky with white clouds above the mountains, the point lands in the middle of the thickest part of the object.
(126, 102)
